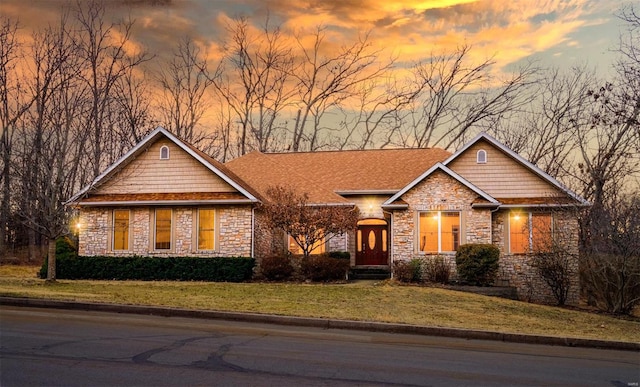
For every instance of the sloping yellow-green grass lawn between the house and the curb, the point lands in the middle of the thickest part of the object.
(364, 301)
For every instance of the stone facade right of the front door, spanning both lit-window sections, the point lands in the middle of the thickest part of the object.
(441, 192)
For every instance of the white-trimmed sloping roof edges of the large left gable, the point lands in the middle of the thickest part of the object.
(208, 162)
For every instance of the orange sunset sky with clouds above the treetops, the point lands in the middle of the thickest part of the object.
(559, 33)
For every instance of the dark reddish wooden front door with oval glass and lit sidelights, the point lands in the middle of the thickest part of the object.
(372, 245)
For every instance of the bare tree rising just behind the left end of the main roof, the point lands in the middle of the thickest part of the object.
(252, 79)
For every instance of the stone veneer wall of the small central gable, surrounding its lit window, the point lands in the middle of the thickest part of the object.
(438, 192)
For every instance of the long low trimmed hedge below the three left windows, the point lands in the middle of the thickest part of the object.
(220, 269)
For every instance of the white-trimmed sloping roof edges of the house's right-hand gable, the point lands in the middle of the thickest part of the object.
(522, 161)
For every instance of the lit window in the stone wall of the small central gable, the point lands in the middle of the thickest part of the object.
(439, 231)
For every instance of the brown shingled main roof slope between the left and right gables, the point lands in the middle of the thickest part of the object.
(331, 176)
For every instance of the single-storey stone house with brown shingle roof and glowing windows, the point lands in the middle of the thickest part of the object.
(165, 197)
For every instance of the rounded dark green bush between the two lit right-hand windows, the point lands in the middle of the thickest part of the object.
(477, 263)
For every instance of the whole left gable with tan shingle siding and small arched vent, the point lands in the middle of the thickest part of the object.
(142, 172)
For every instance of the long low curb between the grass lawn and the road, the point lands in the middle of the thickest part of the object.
(323, 323)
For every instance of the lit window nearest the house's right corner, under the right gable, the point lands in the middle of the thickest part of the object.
(529, 232)
